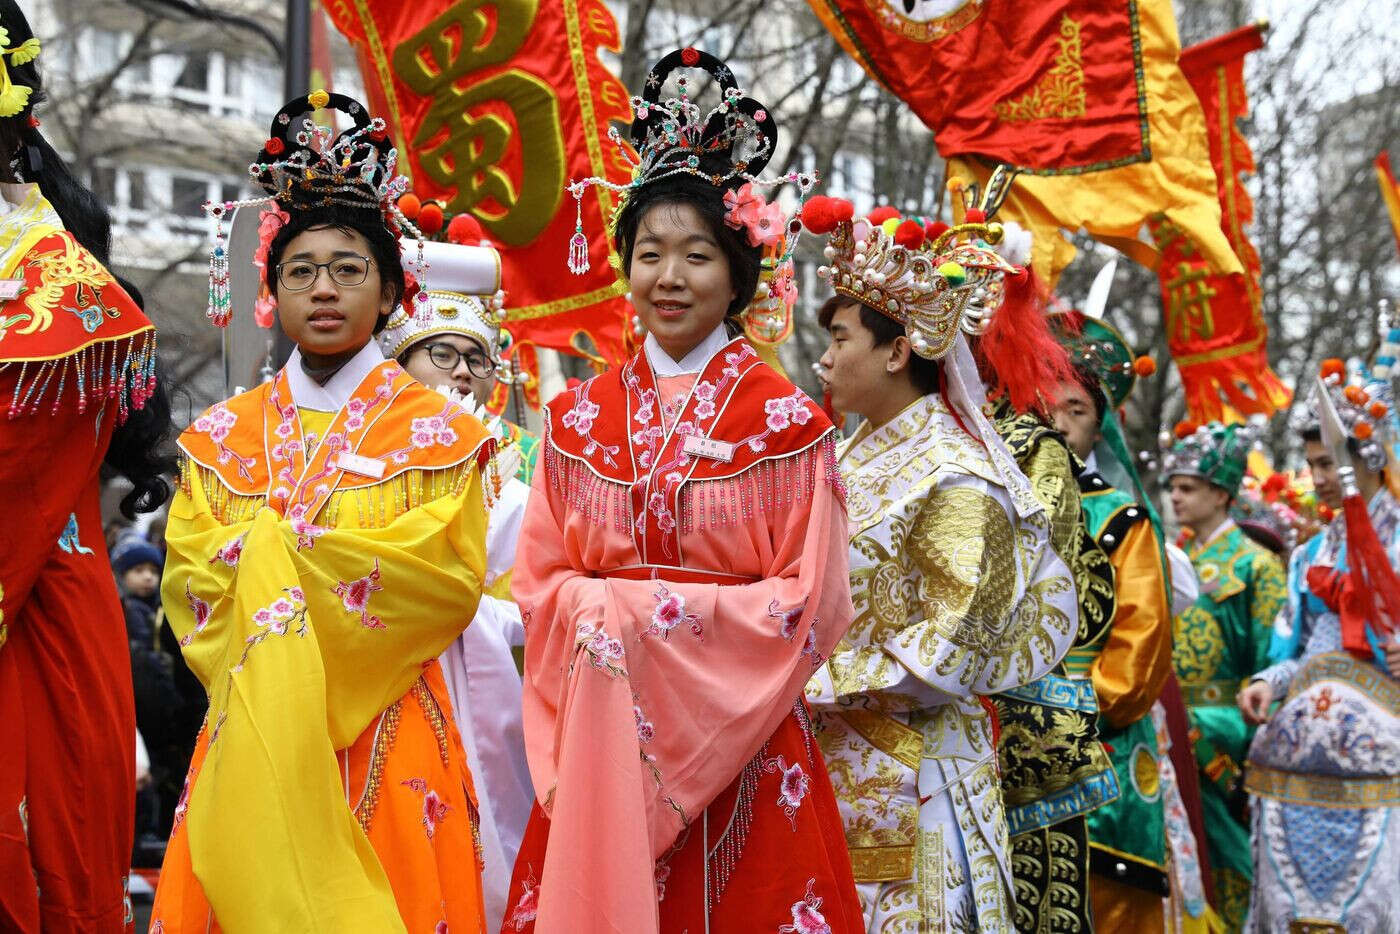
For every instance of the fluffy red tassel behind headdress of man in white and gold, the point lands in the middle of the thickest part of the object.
(1027, 362)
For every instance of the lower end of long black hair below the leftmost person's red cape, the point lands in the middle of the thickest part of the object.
(141, 447)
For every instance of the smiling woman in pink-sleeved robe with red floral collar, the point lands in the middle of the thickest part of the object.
(681, 573)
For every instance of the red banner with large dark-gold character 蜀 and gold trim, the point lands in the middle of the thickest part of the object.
(495, 107)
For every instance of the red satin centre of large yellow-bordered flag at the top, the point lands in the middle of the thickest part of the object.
(1053, 88)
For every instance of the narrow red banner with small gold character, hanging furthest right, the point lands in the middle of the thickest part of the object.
(1214, 326)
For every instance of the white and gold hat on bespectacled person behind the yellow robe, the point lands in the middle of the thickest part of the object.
(465, 299)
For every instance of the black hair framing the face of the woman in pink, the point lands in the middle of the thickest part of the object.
(684, 188)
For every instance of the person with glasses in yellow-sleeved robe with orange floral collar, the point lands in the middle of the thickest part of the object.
(325, 547)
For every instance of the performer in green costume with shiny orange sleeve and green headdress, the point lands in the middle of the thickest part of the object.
(1128, 657)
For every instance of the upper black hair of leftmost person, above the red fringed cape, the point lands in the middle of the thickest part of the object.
(82, 212)
